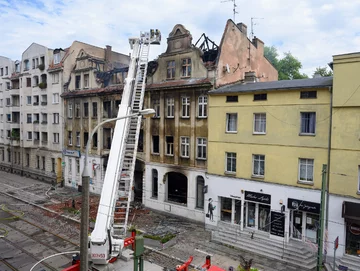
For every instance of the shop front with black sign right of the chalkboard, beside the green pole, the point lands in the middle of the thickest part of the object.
(304, 220)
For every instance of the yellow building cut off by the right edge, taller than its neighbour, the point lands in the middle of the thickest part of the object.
(344, 177)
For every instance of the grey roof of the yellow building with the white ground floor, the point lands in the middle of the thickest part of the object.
(319, 82)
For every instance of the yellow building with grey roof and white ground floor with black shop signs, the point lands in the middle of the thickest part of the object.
(267, 144)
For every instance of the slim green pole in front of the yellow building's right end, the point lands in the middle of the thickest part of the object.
(322, 220)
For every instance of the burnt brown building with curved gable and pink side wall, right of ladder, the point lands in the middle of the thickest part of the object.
(177, 137)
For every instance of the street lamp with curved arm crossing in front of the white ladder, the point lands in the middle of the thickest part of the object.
(85, 177)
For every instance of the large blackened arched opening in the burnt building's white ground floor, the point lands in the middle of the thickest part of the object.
(177, 187)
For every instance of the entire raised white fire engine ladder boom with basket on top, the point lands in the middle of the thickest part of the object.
(107, 238)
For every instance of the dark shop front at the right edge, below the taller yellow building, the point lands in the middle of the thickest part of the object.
(351, 213)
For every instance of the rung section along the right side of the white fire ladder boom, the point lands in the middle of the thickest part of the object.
(126, 181)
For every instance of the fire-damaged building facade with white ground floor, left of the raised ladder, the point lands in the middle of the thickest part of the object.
(93, 83)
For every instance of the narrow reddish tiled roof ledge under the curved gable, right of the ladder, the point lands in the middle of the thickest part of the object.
(184, 83)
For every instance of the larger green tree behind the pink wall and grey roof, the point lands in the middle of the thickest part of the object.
(288, 67)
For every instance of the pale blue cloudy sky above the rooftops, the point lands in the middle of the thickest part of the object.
(312, 30)
